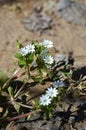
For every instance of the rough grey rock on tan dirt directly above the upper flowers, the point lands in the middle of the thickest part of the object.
(37, 22)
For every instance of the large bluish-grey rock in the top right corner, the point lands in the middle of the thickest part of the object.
(72, 11)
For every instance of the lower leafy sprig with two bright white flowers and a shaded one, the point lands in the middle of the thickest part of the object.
(49, 100)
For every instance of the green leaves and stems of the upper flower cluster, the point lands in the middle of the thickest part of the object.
(26, 61)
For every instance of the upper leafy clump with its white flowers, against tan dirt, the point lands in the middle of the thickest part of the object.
(35, 56)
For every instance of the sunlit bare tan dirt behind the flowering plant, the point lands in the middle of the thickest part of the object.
(66, 36)
